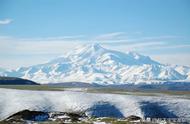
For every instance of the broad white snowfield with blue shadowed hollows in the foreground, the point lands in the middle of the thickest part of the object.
(12, 101)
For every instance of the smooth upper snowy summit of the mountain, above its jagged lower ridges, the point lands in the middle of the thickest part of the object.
(95, 53)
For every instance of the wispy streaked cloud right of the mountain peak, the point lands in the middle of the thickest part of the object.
(147, 43)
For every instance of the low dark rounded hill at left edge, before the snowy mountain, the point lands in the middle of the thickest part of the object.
(15, 81)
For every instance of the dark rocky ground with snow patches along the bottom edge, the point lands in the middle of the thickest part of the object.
(31, 117)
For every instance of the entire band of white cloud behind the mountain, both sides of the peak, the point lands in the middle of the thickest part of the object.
(15, 52)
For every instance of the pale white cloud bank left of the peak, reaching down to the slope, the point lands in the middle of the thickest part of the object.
(25, 52)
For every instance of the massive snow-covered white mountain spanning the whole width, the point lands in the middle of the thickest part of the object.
(95, 64)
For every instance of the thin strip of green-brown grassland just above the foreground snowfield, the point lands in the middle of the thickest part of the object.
(99, 90)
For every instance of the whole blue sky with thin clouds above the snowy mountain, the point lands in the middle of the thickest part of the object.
(30, 28)
